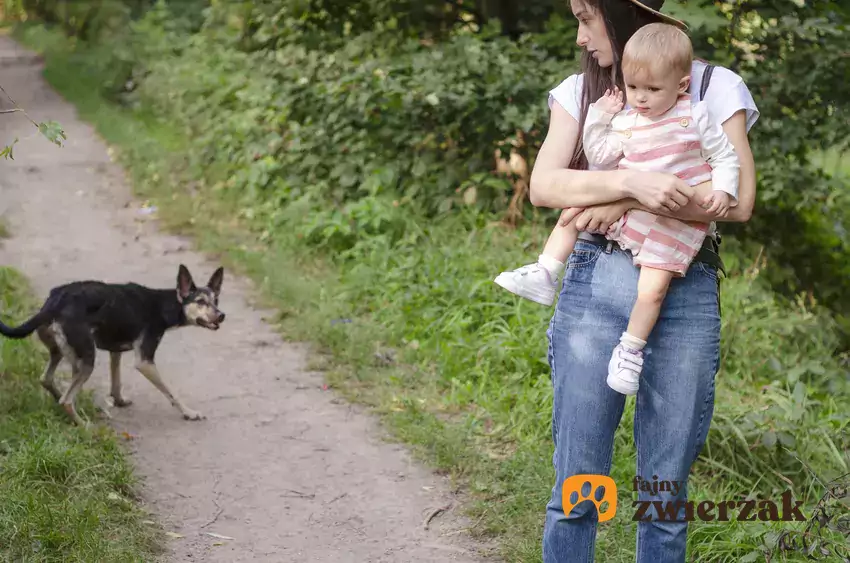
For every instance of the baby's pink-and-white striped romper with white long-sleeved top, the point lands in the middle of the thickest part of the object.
(683, 142)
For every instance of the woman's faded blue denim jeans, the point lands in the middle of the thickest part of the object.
(674, 404)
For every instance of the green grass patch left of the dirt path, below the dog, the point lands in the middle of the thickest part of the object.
(66, 493)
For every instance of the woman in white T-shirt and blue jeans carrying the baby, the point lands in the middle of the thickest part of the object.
(675, 402)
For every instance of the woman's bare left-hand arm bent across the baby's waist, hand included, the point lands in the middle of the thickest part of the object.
(554, 185)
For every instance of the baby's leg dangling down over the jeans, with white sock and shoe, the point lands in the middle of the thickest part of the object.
(626, 362)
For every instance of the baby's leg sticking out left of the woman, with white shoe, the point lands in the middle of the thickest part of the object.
(538, 282)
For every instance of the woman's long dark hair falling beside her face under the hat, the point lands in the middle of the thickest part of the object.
(622, 19)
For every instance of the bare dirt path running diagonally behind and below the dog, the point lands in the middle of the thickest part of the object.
(286, 469)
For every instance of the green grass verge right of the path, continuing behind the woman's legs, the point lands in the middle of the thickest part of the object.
(457, 369)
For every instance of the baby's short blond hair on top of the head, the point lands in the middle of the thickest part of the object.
(658, 48)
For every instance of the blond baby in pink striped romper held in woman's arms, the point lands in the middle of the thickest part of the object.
(661, 131)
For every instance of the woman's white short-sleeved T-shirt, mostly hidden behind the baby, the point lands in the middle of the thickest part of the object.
(726, 94)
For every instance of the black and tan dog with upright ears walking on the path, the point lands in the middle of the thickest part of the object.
(79, 317)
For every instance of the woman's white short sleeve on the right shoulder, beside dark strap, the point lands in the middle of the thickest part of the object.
(725, 95)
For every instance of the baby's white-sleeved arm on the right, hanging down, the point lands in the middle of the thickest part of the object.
(720, 154)
